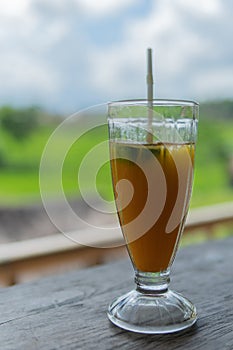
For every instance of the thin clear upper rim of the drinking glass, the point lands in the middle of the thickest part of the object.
(155, 102)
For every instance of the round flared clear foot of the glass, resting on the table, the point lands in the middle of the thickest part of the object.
(159, 313)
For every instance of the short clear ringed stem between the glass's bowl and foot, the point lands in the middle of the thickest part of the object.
(152, 282)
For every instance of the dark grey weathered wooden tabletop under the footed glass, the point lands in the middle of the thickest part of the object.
(69, 311)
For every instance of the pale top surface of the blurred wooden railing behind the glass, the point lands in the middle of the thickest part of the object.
(59, 243)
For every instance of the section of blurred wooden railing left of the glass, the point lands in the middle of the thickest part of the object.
(45, 255)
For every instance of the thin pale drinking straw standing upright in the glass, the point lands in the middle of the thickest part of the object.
(149, 136)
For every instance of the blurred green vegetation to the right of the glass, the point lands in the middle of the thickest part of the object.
(212, 182)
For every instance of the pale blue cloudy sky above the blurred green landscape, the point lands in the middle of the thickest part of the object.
(64, 55)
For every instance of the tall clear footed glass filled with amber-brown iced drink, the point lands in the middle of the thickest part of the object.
(152, 148)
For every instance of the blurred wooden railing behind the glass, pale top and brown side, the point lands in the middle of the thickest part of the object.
(38, 256)
